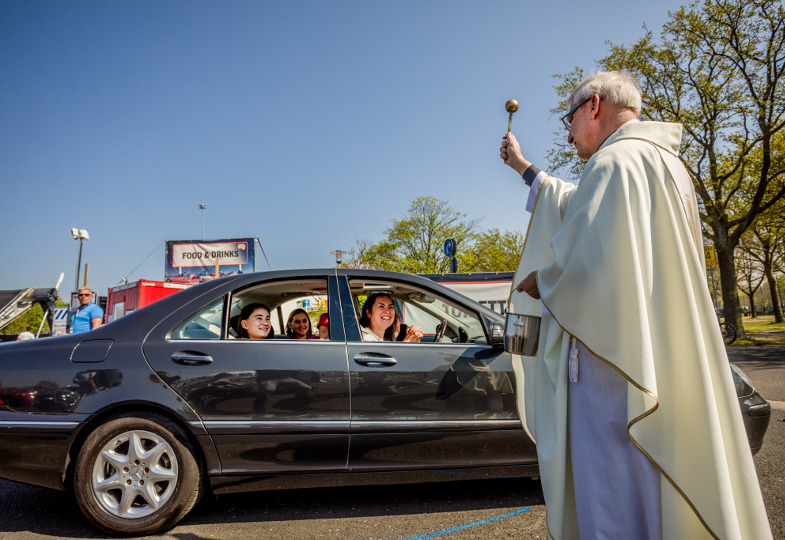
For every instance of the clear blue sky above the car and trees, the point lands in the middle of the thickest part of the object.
(310, 125)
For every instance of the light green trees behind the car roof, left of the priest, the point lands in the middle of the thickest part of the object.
(414, 244)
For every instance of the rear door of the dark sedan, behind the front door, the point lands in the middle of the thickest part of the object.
(271, 405)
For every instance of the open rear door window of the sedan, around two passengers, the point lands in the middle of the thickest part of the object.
(282, 298)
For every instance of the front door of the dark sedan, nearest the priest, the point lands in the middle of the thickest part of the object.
(429, 404)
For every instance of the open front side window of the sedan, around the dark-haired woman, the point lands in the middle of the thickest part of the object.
(423, 308)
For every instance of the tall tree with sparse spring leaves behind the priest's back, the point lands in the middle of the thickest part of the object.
(718, 69)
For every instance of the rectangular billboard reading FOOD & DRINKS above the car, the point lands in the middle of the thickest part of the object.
(194, 261)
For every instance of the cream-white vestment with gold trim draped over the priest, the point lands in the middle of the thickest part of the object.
(619, 267)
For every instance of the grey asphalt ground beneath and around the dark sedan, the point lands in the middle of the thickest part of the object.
(503, 508)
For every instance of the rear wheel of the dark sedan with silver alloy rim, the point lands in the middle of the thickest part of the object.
(137, 474)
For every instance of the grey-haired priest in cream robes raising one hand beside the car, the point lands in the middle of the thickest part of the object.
(630, 398)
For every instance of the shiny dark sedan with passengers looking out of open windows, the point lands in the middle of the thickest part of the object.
(144, 415)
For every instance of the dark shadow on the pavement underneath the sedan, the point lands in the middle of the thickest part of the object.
(29, 510)
